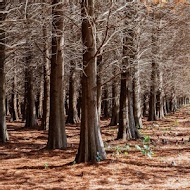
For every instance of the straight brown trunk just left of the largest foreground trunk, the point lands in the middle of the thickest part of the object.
(57, 134)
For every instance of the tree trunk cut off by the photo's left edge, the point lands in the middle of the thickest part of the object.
(3, 128)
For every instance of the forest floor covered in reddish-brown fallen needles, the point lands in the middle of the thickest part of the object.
(25, 164)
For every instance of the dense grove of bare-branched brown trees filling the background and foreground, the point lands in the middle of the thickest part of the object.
(67, 61)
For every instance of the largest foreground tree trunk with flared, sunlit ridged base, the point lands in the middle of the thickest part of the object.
(91, 147)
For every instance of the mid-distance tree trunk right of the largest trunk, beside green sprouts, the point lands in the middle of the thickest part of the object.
(129, 52)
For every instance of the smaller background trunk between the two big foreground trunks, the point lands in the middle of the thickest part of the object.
(72, 113)
